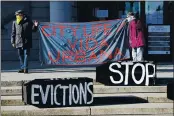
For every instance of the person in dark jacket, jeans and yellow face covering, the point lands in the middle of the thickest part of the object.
(21, 38)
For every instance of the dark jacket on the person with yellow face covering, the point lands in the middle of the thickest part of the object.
(21, 34)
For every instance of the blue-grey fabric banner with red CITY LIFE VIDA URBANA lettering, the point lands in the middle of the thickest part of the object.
(87, 43)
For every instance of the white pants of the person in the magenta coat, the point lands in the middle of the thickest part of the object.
(137, 54)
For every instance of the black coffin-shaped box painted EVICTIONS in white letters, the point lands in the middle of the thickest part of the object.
(64, 92)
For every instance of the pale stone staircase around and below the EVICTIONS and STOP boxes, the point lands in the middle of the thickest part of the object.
(108, 100)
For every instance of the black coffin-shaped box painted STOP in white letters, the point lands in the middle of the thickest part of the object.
(126, 73)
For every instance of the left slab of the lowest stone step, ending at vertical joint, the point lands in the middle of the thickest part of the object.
(34, 111)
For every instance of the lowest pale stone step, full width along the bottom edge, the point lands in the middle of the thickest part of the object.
(134, 109)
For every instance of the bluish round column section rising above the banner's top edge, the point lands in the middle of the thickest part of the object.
(61, 11)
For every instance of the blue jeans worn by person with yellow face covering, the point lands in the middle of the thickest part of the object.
(23, 54)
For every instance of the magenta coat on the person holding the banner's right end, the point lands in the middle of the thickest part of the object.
(136, 35)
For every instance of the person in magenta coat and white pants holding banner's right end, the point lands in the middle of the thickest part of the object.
(136, 36)
